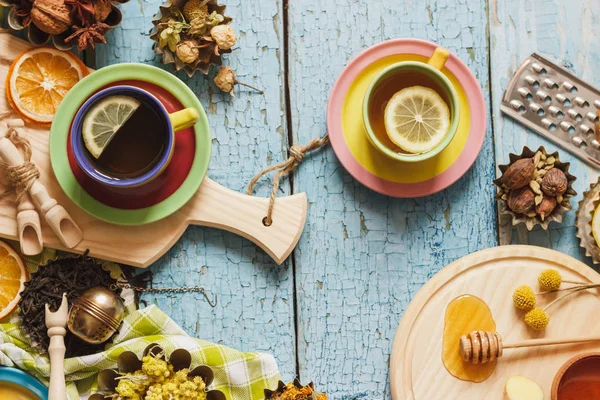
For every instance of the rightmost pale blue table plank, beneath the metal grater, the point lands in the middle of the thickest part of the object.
(563, 31)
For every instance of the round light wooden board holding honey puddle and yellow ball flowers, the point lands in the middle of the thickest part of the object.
(416, 368)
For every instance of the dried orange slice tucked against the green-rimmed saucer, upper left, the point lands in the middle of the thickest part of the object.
(38, 80)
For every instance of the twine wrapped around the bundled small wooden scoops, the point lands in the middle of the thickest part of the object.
(21, 177)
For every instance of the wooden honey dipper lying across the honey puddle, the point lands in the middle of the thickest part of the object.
(479, 347)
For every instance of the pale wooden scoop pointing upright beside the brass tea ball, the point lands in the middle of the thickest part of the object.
(56, 322)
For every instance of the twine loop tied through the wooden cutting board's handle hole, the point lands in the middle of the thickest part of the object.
(284, 168)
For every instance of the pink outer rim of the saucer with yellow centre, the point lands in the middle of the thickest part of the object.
(441, 181)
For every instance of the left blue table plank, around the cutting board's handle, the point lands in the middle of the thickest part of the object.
(255, 310)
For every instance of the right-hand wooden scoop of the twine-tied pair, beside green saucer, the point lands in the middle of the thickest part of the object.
(55, 215)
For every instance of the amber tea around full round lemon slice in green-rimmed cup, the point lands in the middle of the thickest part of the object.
(386, 89)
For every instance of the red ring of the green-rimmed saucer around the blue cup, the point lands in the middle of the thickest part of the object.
(164, 185)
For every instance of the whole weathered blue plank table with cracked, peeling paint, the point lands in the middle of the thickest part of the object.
(329, 313)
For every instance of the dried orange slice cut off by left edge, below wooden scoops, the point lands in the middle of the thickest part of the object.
(12, 278)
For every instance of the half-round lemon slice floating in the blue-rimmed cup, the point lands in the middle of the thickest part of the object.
(104, 120)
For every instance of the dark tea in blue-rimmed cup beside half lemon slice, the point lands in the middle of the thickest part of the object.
(136, 147)
